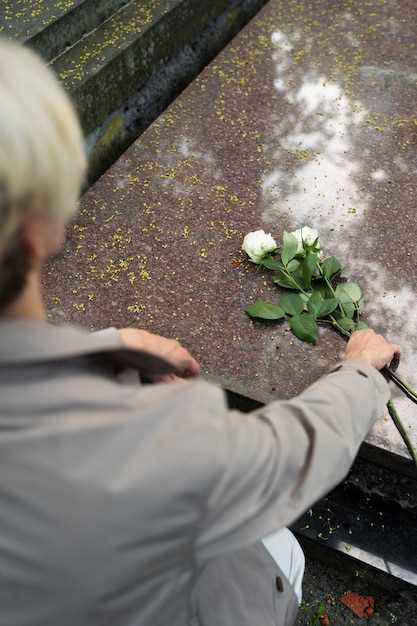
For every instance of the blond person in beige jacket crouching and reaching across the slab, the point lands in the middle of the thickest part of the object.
(129, 504)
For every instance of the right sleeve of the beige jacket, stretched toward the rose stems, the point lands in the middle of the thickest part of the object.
(273, 464)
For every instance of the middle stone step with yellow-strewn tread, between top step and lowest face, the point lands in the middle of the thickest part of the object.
(112, 62)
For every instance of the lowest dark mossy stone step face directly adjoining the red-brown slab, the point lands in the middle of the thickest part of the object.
(168, 77)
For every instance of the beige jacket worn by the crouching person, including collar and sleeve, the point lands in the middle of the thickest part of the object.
(114, 495)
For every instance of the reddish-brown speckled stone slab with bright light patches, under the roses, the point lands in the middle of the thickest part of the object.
(308, 117)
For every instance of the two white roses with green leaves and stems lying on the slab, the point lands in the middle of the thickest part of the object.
(314, 293)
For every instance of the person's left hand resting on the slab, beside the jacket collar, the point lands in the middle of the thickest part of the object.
(168, 349)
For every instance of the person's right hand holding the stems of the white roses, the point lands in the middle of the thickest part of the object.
(366, 345)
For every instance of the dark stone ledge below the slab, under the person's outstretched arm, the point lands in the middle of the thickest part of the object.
(368, 521)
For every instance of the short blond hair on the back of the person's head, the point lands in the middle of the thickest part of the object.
(42, 157)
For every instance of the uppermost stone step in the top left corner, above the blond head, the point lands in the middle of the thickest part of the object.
(51, 26)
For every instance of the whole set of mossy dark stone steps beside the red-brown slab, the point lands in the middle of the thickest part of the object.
(124, 61)
